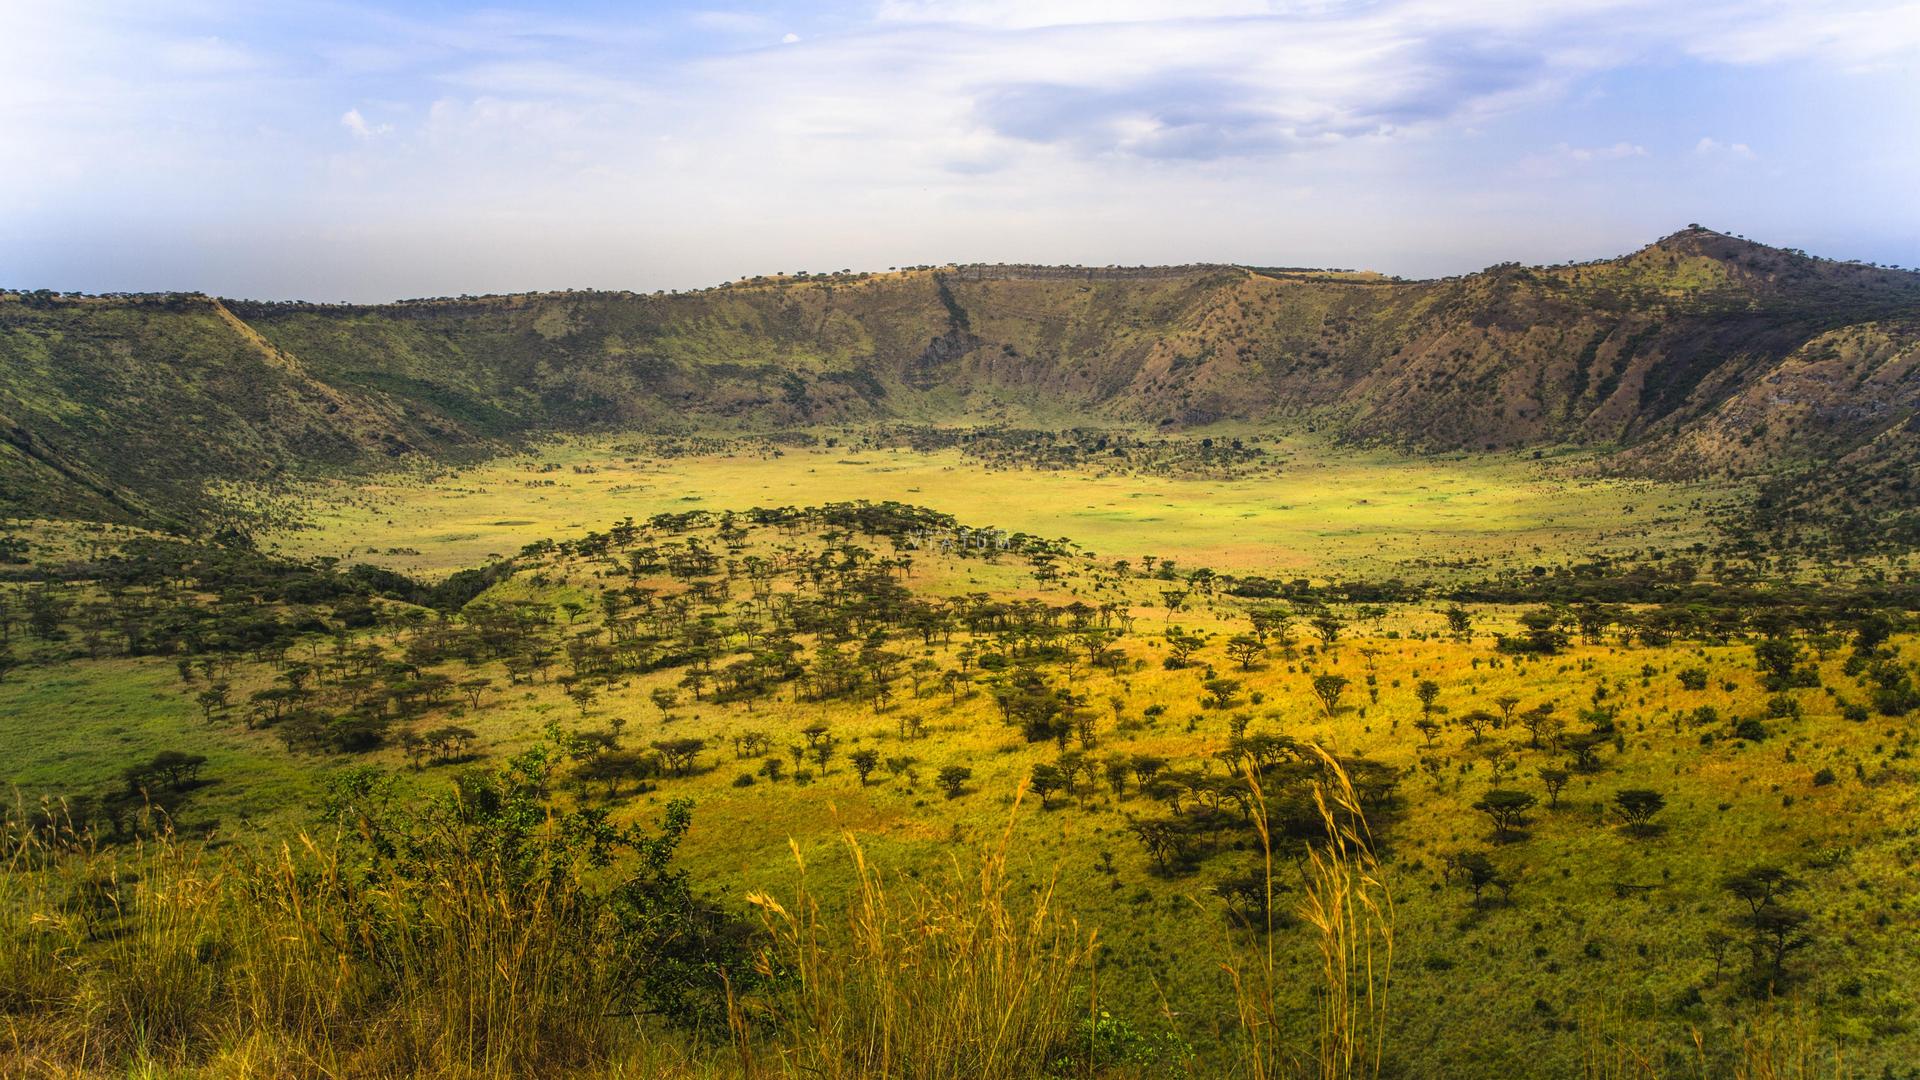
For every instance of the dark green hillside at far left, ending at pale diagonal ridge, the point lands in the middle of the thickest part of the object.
(126, 408)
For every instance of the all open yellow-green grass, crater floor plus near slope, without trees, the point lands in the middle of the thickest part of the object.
(1525, 989)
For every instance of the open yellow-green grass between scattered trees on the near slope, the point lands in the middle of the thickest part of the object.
(1470, 985)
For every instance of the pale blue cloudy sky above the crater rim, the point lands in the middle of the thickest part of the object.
(348, 151)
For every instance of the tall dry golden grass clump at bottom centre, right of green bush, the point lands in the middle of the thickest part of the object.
(969, 979)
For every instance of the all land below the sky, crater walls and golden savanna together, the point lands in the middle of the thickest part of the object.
(971, 672)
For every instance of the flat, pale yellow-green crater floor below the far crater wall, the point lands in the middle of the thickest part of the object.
(1320, 512)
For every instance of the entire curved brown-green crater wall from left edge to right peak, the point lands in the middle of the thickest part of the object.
(1700, 353)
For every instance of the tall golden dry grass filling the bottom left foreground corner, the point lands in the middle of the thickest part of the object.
(176, 958)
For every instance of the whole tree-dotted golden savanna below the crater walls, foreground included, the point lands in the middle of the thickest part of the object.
(1218, 754)
